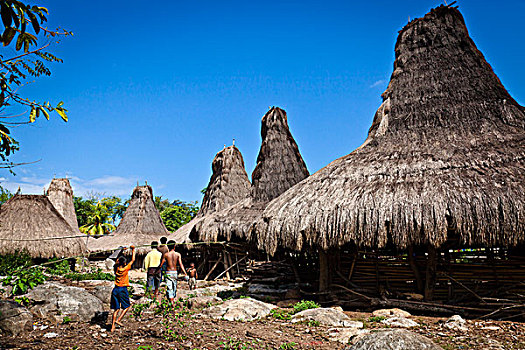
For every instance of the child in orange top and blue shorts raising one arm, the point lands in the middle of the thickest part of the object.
(119, 296)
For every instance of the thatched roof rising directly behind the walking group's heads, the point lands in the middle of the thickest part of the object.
(140, 225)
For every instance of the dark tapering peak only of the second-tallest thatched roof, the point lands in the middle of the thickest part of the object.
(279, 163)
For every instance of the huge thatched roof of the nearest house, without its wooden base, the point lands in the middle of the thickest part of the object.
(445, 155)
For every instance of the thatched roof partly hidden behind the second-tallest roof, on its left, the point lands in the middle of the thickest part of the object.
(228, 185)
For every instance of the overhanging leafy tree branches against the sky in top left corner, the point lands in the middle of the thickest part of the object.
(24, 32)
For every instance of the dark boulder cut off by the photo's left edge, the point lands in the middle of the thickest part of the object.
(14, 319)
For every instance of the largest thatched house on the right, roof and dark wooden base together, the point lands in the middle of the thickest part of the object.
(443, 168)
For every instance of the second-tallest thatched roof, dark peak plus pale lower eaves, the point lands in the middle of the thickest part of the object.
(279, 166)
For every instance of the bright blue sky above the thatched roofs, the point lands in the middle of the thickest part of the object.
(153, 92)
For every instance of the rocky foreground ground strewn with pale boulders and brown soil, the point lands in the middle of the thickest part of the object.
(208, 322)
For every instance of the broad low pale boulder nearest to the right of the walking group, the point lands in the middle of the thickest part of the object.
(245, 309)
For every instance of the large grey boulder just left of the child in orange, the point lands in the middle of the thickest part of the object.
(54, 301)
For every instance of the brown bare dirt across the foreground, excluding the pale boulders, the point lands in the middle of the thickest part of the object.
(185, 331)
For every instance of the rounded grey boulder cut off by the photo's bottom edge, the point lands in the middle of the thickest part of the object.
(394, 339)
